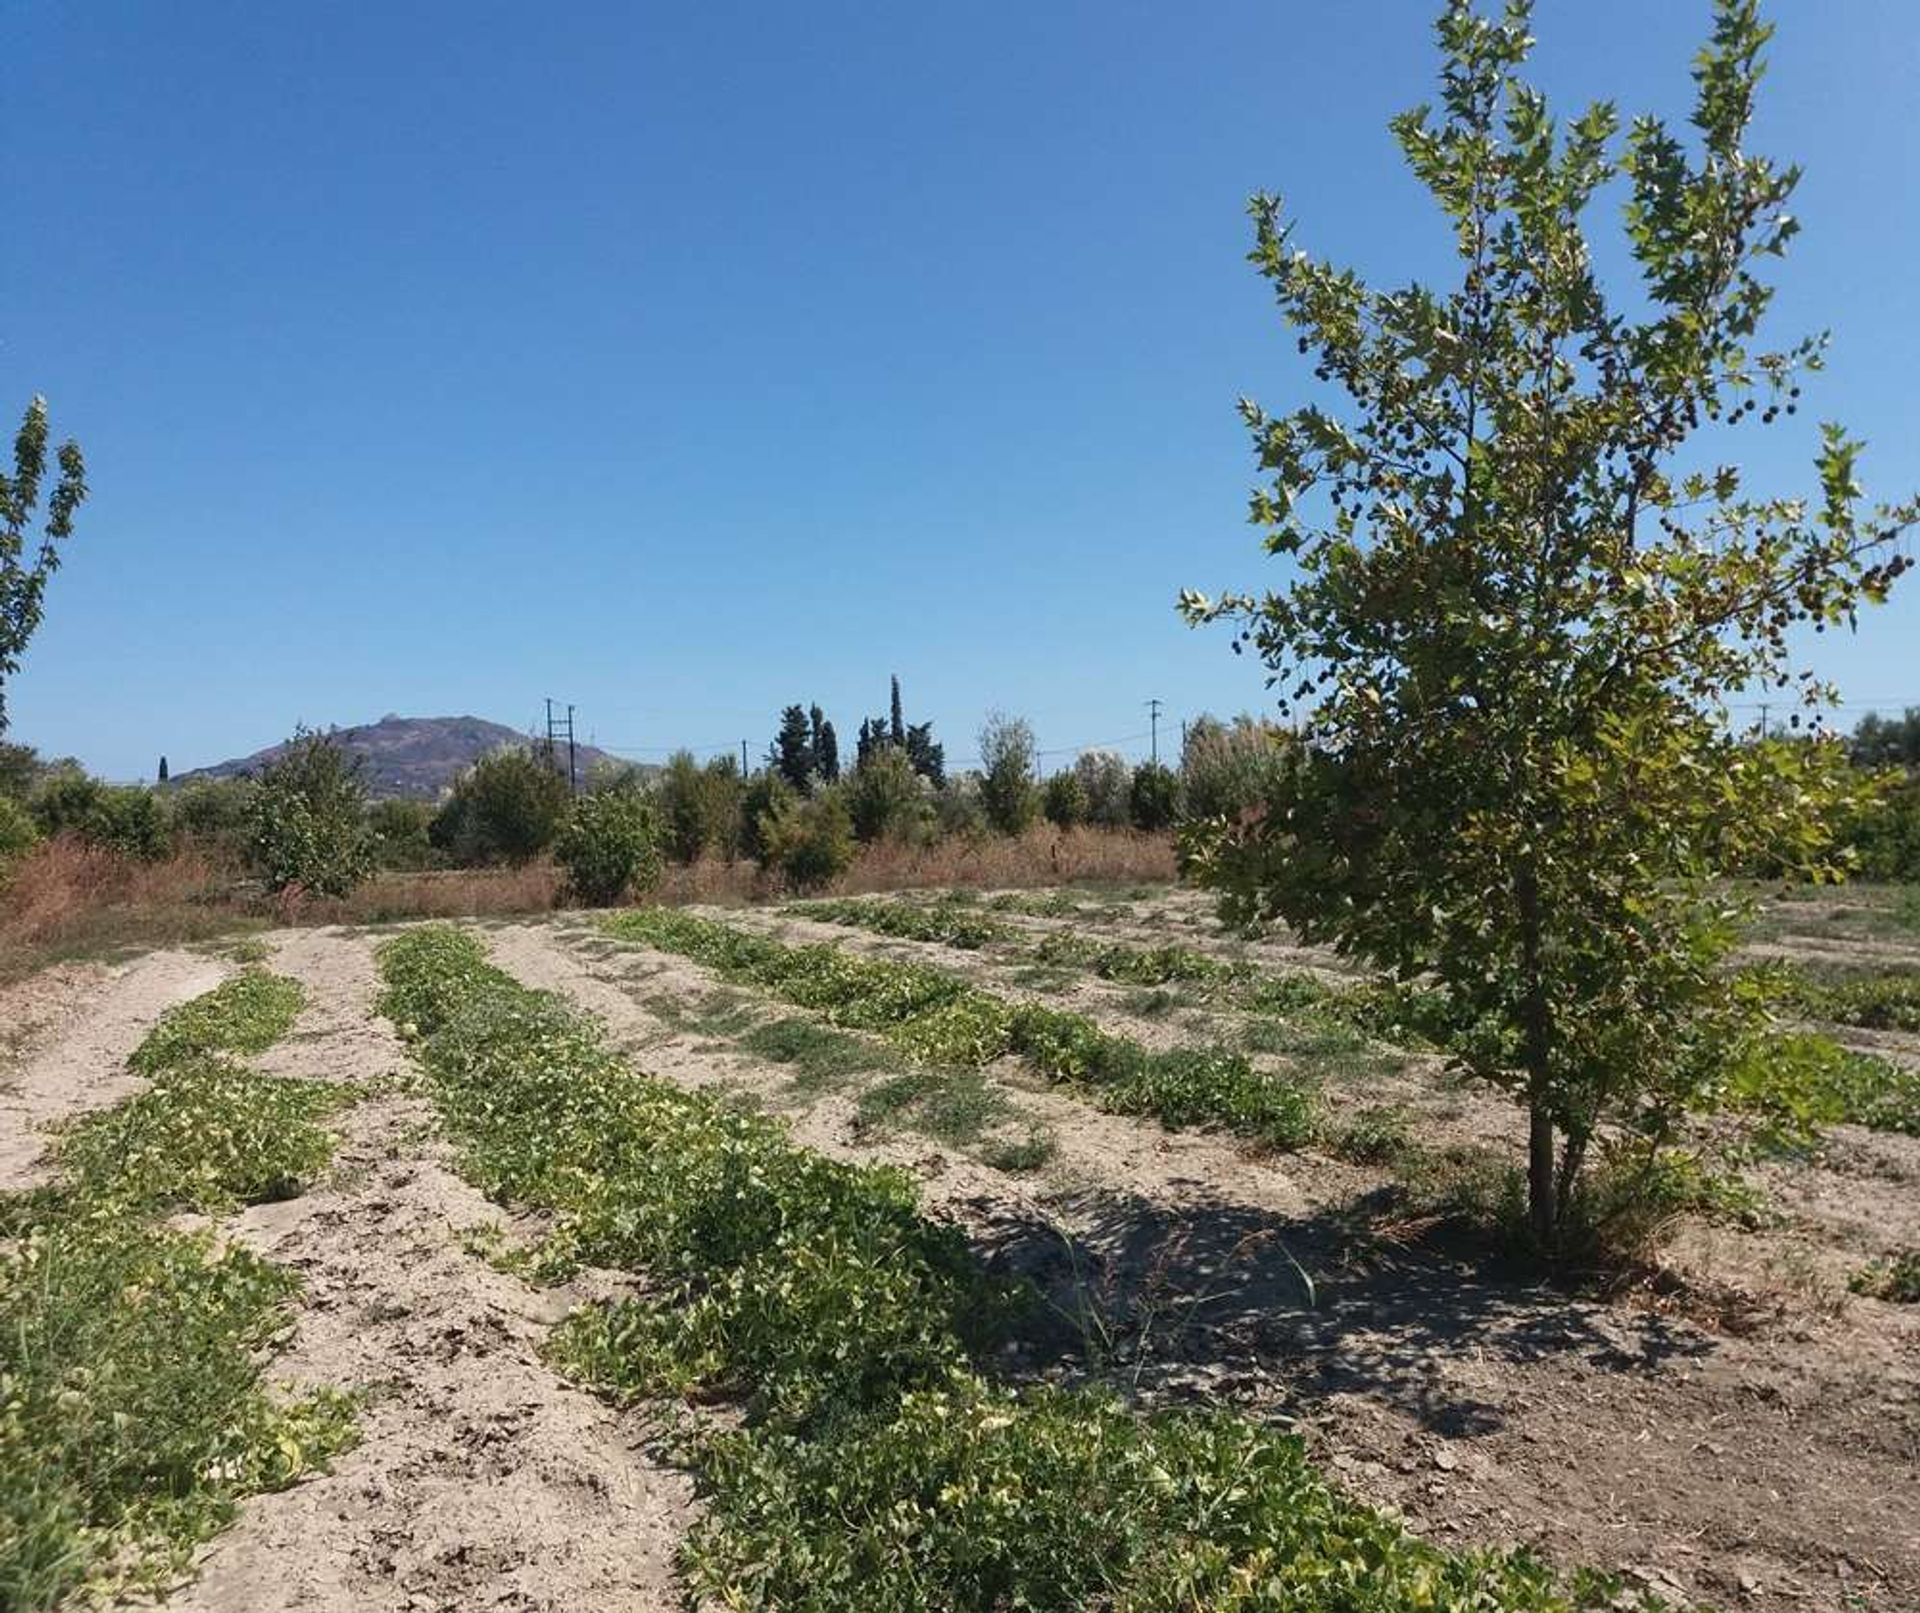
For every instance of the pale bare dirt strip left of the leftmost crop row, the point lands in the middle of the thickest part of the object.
(82, 1026)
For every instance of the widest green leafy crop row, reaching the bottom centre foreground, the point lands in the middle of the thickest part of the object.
(880, 1466)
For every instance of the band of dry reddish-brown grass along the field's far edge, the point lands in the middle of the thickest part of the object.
(74, 902)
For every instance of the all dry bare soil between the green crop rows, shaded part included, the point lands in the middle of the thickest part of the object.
(1769, 1460)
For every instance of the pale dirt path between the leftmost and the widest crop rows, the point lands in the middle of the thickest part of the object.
(481, 1480)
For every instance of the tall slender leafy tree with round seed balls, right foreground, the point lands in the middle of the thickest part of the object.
(1520, 608)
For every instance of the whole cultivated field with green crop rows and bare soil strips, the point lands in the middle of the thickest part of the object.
(936, 1251)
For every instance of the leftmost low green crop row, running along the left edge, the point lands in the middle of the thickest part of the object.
(133, 1410)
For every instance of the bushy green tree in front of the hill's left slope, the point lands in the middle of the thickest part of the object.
(310, 819)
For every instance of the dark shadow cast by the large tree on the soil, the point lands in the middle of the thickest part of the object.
(1216, 1301)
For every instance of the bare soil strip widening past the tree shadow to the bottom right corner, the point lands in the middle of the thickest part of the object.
(1769, 1470)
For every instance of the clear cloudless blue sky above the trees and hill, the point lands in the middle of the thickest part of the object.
(692, 360)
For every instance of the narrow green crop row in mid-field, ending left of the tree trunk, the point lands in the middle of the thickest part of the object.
(940, 1019)
